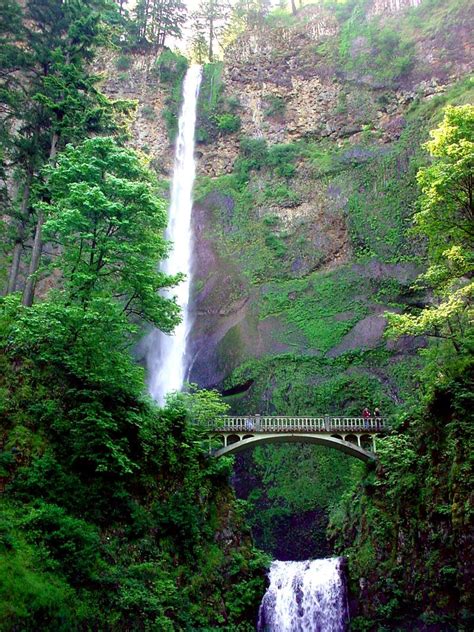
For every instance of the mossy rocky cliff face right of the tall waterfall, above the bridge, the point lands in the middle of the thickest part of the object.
(345, 100)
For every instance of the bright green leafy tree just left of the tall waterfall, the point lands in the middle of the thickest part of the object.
(106, 219)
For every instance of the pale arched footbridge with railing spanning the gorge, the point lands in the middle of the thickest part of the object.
(356, 436)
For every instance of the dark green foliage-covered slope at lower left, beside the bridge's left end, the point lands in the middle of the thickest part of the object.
(118, 499)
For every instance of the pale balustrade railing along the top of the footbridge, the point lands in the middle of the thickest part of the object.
(260, 423)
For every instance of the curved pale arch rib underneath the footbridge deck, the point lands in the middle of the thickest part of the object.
(339, 444)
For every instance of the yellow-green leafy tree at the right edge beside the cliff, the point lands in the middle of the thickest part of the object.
(445, 217)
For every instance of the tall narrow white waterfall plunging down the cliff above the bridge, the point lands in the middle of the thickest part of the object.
(166, 354)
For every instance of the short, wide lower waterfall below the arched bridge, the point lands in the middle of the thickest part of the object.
(307, 596)
